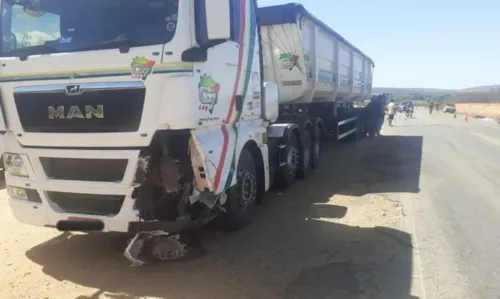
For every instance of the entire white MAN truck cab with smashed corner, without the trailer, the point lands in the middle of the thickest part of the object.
(105, 99)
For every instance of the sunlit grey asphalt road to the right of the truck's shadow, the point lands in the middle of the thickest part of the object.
(456, 215)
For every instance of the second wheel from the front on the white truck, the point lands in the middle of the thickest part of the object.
(287, 173)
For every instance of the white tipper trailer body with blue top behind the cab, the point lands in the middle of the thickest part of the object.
(309, 61)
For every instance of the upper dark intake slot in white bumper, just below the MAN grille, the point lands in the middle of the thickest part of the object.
(96, 170)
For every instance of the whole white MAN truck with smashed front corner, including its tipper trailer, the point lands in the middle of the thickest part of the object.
(155, 117)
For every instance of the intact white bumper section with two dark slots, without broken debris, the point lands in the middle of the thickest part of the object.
(65, 184)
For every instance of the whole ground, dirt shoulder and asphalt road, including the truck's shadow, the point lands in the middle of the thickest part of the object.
(411, 214)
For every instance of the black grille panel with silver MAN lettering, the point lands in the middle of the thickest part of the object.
(94, 107)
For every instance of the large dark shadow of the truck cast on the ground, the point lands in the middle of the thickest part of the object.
(295, 249)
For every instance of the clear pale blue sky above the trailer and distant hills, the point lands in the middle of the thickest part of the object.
(419, 43)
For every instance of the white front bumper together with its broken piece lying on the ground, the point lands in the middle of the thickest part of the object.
(85, 189)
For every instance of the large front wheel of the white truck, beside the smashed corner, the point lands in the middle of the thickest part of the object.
(242, 197)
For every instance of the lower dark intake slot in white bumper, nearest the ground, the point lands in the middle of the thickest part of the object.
(89, 204)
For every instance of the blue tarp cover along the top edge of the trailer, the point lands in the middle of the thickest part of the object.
(287, 14)
